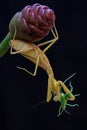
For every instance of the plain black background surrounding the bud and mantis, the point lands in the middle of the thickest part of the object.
(19, 91)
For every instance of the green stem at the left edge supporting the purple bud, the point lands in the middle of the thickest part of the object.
(4, 45)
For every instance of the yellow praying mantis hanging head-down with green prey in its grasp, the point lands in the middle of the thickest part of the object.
(33, 53)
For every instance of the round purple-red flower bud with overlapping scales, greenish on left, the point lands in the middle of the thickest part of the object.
(33, 23)
